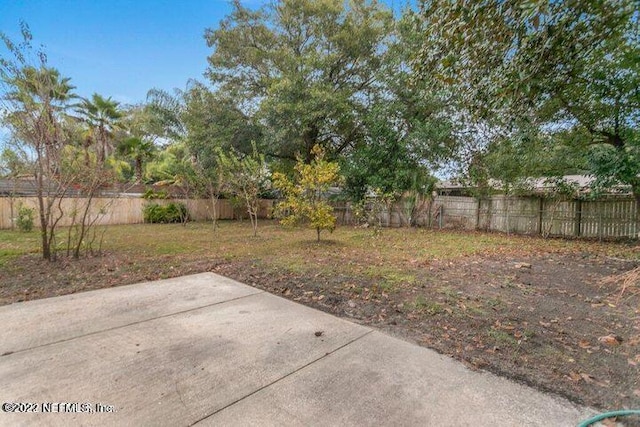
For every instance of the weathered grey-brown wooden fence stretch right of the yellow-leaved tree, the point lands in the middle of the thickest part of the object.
(607, 218)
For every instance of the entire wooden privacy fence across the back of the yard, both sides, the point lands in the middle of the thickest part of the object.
(610, 218)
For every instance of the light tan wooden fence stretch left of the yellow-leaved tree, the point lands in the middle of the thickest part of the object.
(124, 210)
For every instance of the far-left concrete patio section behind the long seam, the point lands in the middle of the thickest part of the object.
(56, 319)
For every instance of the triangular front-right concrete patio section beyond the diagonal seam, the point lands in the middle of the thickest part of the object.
(380, 380)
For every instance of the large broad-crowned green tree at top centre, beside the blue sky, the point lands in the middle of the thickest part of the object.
(304, 69)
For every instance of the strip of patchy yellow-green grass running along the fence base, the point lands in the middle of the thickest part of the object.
(391, 257)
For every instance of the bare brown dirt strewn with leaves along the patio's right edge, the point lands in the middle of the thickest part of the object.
(543, 320)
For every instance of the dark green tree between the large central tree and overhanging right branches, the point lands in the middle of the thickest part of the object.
(408, 131)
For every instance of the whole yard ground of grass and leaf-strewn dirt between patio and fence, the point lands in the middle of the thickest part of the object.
(544, 312)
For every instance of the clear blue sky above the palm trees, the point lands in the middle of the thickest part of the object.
(122, 48)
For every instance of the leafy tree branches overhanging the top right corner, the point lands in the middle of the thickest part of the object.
(551, 65)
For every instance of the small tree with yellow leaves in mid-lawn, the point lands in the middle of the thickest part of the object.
(305, 199)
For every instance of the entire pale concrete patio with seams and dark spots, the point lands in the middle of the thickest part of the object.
(206, 350)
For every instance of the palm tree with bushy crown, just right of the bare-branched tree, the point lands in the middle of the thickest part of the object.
(103, 117)
